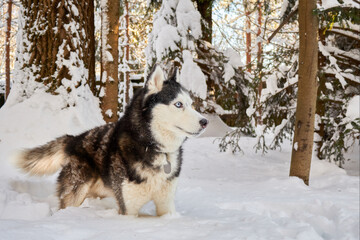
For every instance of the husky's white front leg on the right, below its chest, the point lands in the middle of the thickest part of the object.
(164, 198)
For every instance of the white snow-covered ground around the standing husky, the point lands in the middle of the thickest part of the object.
(220, 195)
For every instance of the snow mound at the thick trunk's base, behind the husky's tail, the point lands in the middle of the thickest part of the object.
(39, 119)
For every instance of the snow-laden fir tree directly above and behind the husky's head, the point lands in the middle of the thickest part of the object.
(176, 27)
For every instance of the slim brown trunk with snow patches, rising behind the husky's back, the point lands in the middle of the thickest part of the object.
(110, 54)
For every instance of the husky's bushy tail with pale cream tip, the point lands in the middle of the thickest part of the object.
(45, 159)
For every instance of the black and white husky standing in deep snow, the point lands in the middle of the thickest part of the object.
(136, 160)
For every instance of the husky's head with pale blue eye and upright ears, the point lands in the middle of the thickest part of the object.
(172, 114)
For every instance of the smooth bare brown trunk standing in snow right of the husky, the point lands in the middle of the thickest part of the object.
(307, 91)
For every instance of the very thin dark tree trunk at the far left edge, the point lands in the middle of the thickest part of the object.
(7, 50)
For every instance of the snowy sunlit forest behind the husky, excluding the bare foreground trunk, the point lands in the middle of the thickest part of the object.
(239, 59)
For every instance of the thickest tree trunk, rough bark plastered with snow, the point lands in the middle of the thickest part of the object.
(57, 44)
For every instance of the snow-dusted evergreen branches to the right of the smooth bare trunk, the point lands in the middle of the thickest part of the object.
(338, 122)
